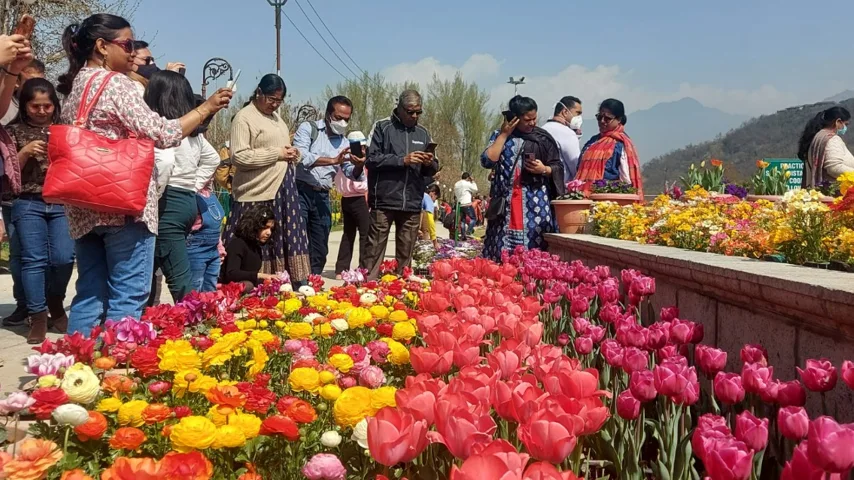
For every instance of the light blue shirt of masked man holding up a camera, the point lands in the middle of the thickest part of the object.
(324, 146)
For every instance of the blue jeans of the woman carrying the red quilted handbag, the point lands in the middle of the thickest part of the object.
(114, 268)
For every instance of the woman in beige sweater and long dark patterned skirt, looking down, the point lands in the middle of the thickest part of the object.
(265, 175)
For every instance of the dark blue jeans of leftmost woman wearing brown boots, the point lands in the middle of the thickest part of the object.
(47, 252)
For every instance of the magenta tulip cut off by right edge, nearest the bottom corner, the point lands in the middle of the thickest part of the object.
(831, 445)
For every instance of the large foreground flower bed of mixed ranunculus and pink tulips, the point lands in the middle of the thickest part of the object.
(534, 369)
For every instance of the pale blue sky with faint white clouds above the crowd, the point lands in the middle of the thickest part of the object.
(742, 56)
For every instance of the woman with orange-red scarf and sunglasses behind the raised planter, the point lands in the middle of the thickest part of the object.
(610, 155)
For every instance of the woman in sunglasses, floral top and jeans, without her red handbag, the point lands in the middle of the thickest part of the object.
(115, 253)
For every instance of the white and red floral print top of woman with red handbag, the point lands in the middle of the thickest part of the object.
(119, 112)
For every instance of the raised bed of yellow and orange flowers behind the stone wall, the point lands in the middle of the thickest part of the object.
(801, 229)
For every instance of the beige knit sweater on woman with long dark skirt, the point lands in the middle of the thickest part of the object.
(256, 145)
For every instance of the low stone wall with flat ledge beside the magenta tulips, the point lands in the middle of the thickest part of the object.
(797, 313)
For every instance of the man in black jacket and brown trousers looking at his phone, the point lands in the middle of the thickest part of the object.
(398, 168)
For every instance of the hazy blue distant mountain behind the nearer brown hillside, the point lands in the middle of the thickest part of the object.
(667, 126)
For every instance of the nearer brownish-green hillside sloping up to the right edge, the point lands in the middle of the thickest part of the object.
(768, 136)
